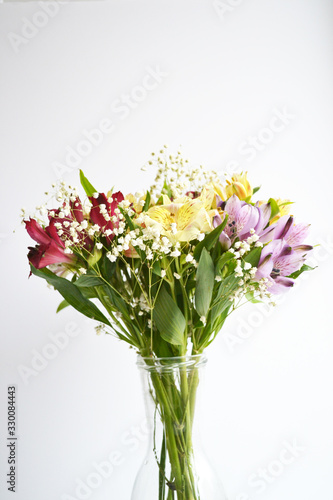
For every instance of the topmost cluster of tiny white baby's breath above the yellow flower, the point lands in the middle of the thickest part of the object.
(178, 174)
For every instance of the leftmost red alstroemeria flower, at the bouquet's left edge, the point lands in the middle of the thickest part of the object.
(50, 248)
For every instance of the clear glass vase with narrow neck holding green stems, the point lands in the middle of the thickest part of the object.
(175, 467)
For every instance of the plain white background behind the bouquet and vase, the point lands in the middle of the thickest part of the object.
(227, 74)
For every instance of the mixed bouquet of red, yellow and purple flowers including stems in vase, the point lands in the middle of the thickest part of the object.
(162, 270)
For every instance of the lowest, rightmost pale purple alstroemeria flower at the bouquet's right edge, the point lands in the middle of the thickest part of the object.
(277, 261)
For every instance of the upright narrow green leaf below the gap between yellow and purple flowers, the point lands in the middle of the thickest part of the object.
(205, 283)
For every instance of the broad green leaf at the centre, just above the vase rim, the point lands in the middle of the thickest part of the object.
(169, 319)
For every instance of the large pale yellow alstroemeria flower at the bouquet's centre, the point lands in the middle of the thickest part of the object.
(182, 219)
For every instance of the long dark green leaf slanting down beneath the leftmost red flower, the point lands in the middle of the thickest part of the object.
(71, 294)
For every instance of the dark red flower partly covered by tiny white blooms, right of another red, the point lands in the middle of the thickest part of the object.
(102, 208)
